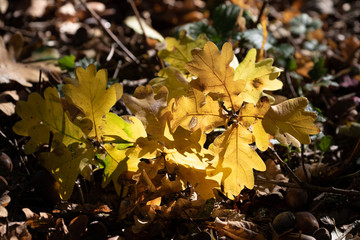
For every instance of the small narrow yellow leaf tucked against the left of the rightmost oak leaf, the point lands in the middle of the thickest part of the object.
(252, 115)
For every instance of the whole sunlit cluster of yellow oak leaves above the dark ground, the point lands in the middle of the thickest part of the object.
(199, 92)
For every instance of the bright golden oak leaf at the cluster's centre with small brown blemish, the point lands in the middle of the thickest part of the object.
(196, 111)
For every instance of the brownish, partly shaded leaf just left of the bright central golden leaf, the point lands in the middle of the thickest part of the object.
(146, 106)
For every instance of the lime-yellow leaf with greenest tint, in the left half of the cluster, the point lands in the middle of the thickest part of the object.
(123, 133)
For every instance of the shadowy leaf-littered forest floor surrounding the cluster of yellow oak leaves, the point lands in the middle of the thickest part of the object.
(307, 192)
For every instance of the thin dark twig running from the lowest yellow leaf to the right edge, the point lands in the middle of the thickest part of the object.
(311, 187)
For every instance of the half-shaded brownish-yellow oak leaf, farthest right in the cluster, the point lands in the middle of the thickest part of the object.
(289, 123)
